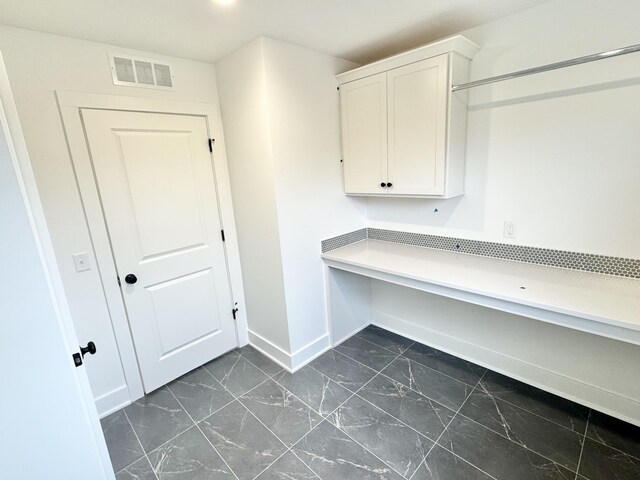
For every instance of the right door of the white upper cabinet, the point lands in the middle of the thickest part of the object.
(417, 101)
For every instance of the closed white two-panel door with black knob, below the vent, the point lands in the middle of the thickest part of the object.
(157, 186)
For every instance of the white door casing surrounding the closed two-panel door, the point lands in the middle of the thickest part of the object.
(70, 104)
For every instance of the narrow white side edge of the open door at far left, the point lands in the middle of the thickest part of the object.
(10, 123)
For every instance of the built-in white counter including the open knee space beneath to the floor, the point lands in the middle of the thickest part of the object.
(573, 333)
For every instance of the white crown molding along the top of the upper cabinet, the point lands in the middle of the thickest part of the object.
(457, 44)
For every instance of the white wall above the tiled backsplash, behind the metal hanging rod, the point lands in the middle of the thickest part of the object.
(557, 153)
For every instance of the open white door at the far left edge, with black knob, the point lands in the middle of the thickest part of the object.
(50, 426)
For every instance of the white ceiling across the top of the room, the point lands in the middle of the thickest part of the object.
(357, 30)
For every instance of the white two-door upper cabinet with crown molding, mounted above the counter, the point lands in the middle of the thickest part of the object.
(403, 131)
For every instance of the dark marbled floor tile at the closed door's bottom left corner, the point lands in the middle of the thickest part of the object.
(157, 417)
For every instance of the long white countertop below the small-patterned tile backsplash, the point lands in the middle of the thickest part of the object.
(596, 297)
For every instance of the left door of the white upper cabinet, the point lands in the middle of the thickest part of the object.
(363, 110)
